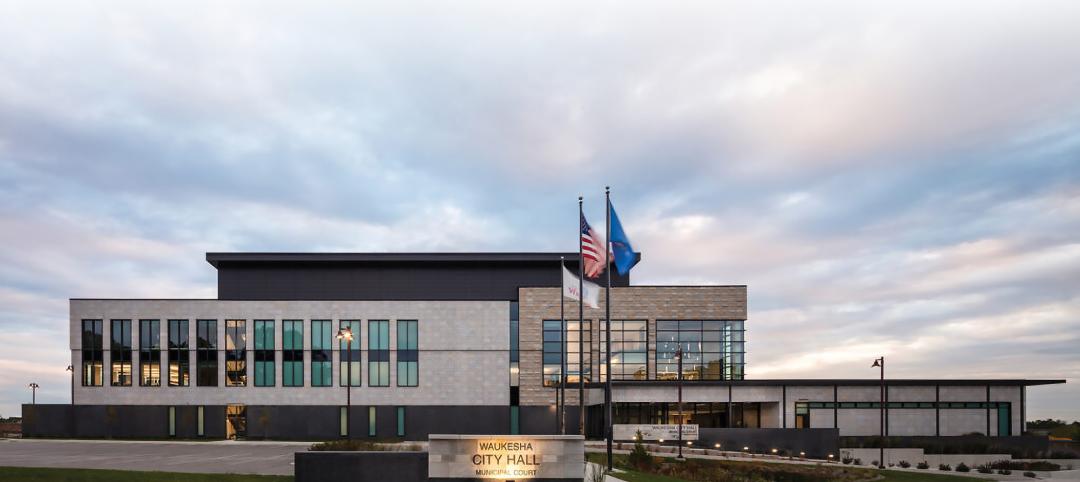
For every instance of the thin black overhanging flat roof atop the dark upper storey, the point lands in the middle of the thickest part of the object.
(215, 259)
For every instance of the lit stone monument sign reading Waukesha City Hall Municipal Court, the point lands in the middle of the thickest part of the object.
(507, 458)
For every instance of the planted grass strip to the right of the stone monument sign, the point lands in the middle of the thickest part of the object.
(704, 470)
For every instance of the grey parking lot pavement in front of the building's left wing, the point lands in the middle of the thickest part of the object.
(268, 459)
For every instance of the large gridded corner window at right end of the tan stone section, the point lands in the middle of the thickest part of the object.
(712, 350)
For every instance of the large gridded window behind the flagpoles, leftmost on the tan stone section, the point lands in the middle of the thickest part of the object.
(552, 349)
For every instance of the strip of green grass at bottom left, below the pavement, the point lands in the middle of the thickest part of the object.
(43, 475)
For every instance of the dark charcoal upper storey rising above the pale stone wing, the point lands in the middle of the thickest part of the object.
(388, 276)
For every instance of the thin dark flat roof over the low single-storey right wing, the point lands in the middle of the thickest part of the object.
(845, 382)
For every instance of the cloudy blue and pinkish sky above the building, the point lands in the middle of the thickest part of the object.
(893, 179)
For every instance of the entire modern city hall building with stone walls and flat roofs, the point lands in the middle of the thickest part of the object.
(460, 343)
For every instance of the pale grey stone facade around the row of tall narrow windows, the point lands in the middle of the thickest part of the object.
(464, 352)
